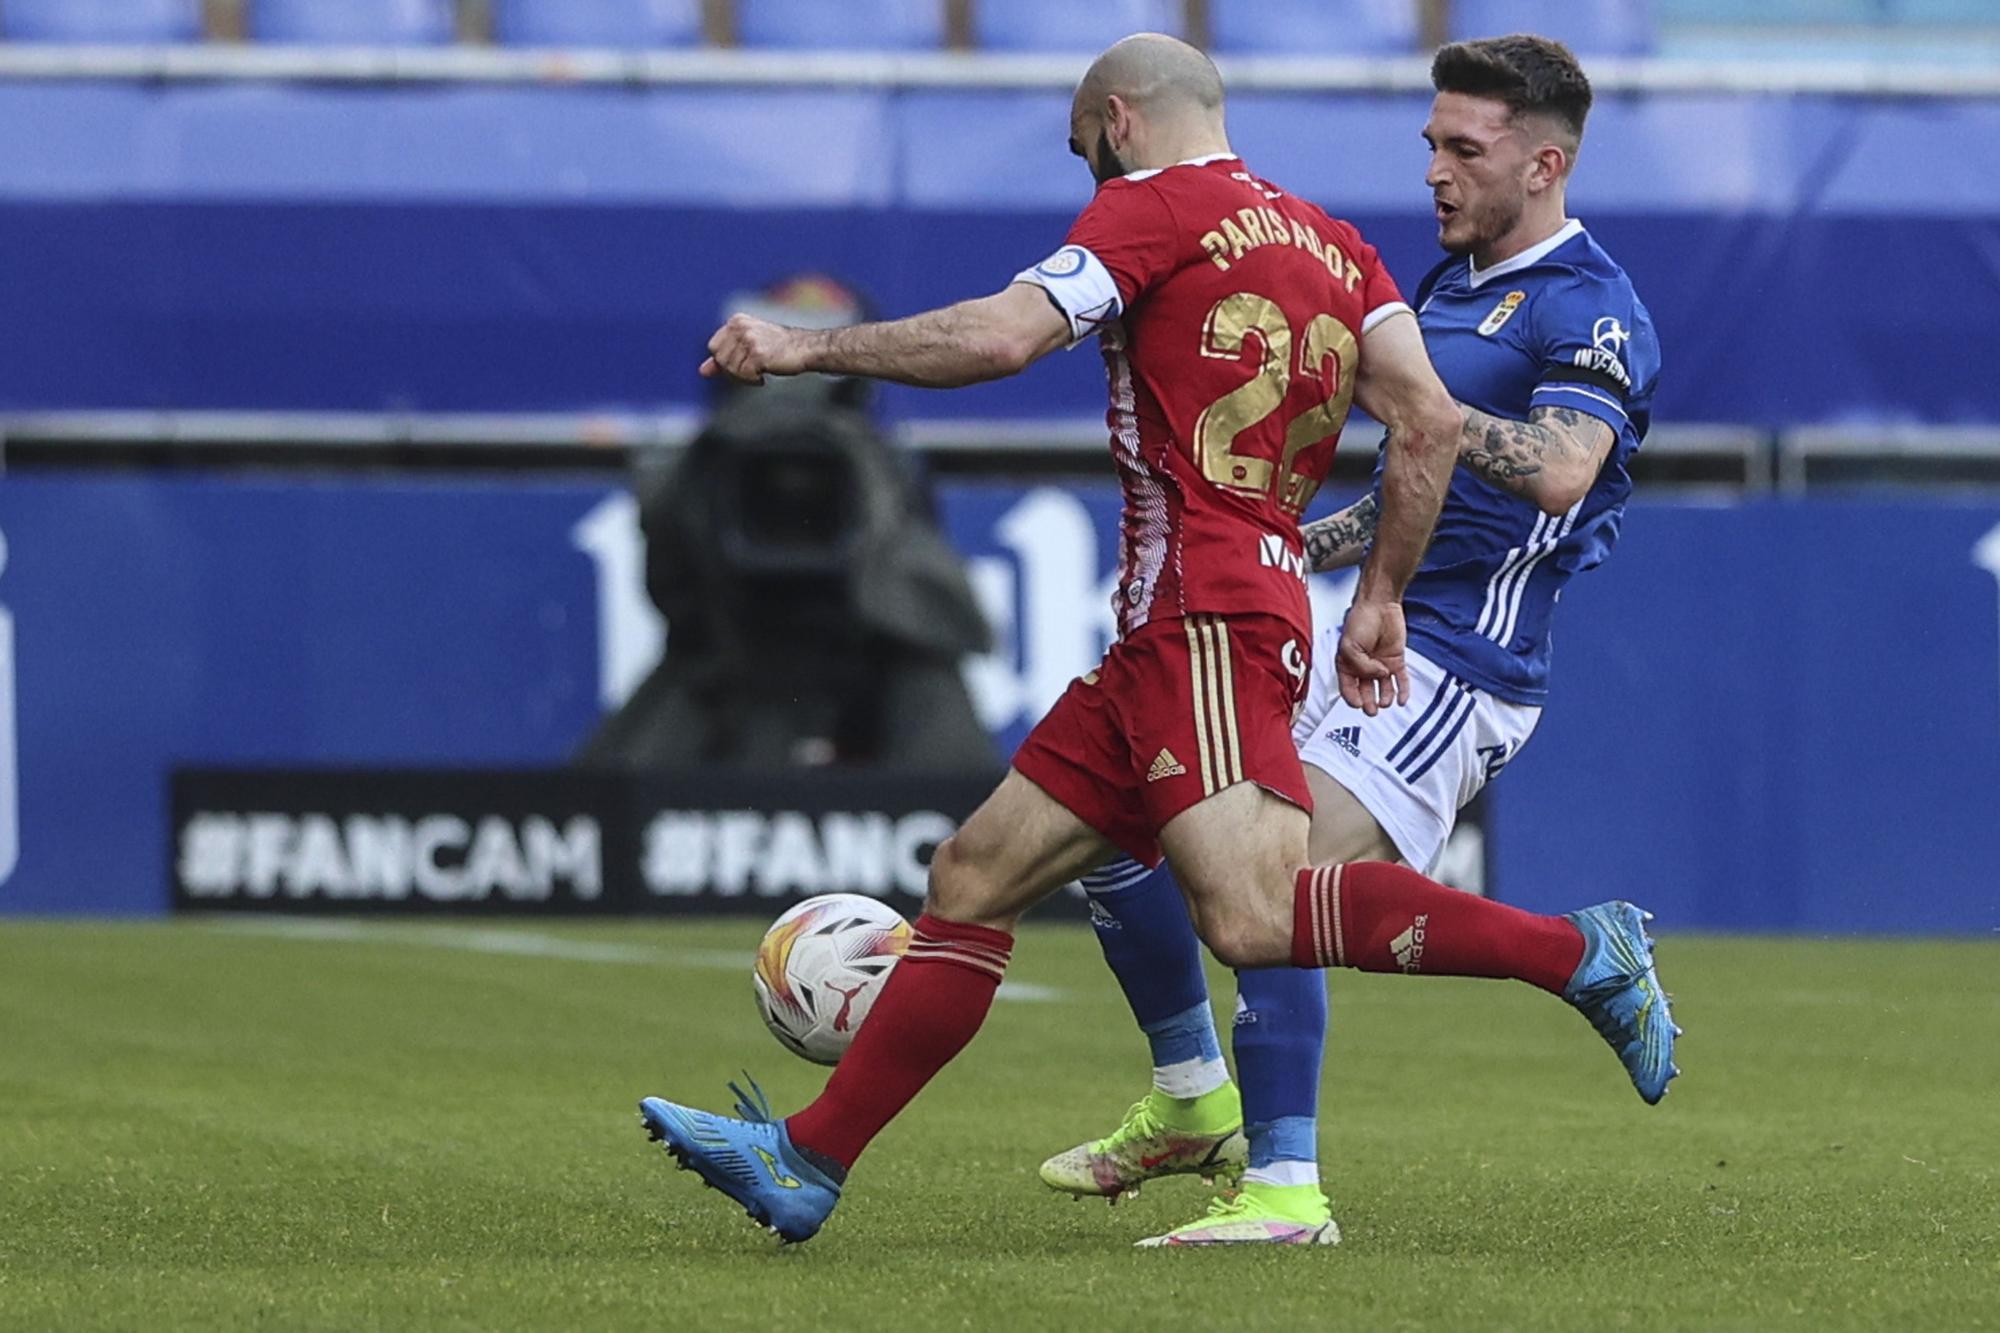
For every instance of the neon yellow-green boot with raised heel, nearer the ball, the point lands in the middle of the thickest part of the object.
(1159, 1136)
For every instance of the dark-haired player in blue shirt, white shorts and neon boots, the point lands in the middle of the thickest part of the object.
(1541, 337)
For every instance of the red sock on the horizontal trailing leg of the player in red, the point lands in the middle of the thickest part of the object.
(1389, 920)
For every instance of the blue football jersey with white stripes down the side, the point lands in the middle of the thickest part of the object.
(1559, 325)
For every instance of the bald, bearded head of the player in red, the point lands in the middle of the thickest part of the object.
(1149, 101)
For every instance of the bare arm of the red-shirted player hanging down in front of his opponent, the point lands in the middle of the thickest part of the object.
(1399, 387)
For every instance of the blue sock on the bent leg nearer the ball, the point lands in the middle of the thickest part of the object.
(1149, 940)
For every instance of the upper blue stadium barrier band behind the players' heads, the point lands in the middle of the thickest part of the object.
(507, 249)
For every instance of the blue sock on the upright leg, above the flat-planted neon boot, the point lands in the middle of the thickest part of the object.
(1281, 1038)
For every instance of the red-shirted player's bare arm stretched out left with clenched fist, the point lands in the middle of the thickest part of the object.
(975, 341)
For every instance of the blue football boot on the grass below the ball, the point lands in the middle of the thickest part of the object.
(751, 1160)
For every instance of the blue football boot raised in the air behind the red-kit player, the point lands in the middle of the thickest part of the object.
(1619, 990)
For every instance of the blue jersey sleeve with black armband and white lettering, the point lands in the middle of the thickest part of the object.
(1585, 341)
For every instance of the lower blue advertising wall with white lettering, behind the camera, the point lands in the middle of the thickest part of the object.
(1767, 714)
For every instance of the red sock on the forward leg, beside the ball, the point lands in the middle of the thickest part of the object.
(927, 1014)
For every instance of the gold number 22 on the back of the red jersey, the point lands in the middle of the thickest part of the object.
(1225, 337)
